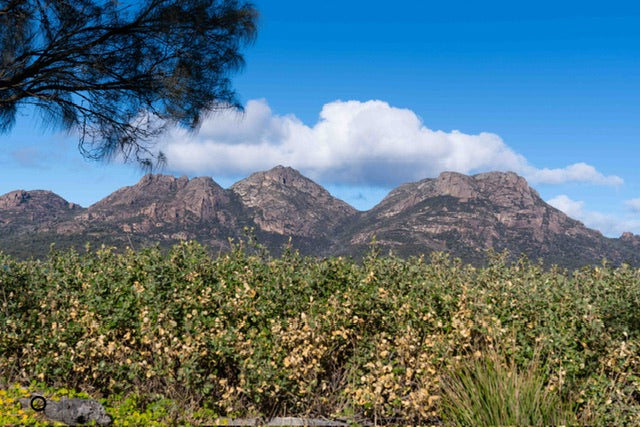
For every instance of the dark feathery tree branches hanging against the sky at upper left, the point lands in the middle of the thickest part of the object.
(120, 71)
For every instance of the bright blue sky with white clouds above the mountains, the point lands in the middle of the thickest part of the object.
(364, 95)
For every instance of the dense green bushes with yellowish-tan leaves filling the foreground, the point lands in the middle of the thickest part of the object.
(186, 337)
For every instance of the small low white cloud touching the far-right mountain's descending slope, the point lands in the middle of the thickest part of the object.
(609, 224)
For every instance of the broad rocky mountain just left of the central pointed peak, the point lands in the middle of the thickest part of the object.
(165, 209)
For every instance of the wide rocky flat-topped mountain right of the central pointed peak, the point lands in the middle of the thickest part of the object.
(466, 215)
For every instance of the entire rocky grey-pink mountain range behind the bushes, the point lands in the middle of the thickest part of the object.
(459, 214)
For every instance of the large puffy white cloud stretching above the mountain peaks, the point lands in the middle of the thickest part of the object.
(353, 142)
